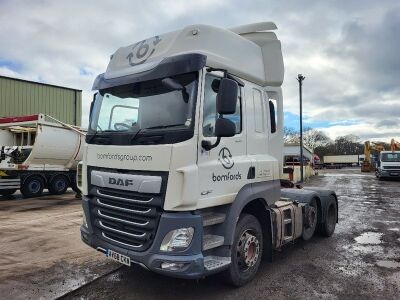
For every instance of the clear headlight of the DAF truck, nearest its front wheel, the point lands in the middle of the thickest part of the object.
(177, 240)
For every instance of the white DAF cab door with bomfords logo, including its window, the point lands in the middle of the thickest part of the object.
(223, 170)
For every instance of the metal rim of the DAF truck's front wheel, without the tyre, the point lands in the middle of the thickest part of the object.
(248, 250)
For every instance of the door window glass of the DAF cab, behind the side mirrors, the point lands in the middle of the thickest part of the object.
(210, 114)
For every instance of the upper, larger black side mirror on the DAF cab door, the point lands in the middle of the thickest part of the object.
(227, 96)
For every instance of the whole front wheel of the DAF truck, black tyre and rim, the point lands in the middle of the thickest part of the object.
(247, 251)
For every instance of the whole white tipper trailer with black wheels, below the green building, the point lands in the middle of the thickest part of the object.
(37, 152)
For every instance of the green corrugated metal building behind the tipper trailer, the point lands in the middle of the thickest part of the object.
(22, 97)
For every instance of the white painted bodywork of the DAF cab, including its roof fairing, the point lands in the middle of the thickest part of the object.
(256, 59)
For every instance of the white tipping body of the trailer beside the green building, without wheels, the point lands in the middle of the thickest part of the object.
(55, 147)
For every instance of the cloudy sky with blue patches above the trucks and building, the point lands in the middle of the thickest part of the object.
(348, 50)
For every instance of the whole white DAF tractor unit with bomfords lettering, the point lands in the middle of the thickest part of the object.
(181, 172)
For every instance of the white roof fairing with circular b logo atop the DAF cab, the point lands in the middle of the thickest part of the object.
(256, 57)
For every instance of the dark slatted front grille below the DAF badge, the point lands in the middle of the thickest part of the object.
(124, 218)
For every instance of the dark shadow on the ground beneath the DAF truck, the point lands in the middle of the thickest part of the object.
(139, 283)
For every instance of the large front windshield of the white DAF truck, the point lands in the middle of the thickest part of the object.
(155, 104)
